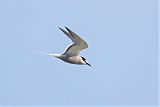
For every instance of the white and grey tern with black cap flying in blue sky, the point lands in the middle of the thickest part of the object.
(71, 54)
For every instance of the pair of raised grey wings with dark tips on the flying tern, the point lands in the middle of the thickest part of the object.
(78, 43)
